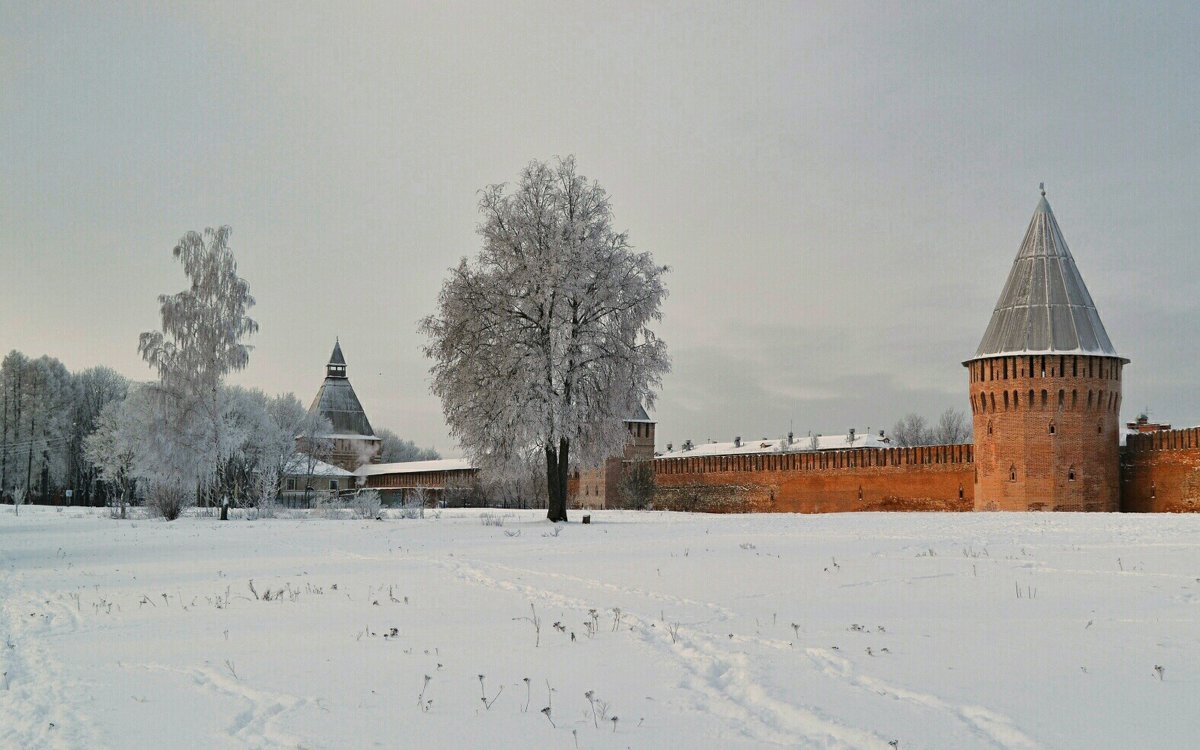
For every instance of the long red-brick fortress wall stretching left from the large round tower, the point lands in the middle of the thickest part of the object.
(929, 478)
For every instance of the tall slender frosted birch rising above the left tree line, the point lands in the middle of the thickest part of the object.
(200, 344)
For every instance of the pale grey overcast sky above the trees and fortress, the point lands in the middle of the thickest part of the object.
(839, 190)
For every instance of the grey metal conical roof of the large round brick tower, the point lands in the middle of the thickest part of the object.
(1045, 308)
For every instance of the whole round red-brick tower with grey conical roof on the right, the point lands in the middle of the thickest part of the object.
(1046, 387)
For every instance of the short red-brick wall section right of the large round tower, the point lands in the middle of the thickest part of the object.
(1161, 472)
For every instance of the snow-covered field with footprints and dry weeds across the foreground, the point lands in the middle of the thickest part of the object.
(657, 631)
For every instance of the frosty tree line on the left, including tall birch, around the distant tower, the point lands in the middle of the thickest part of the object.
(184, 437)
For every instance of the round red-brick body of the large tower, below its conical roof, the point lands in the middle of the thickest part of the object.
(1046, 433)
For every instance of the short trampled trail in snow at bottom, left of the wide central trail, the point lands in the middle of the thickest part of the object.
(256, 724)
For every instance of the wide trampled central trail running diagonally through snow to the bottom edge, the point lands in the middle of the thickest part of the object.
(722, 680)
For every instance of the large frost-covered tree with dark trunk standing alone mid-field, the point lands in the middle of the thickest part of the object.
(544, 343)
